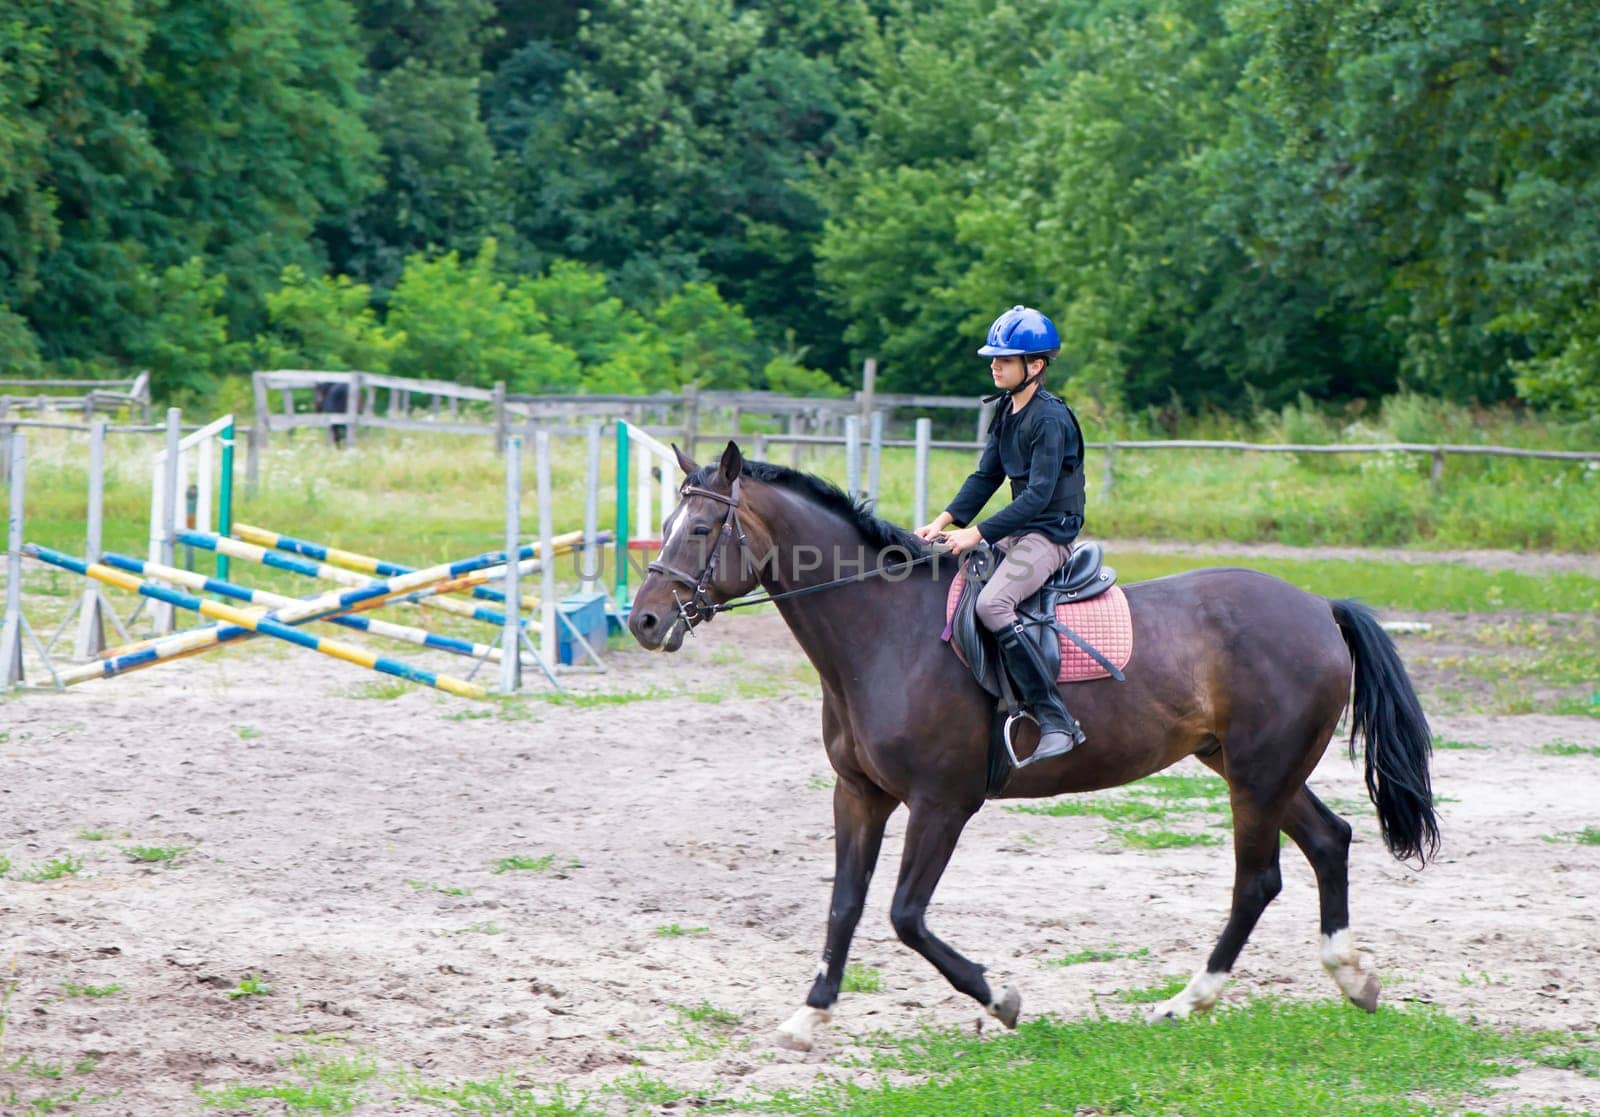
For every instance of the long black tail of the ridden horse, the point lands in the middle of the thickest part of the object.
(1399, 743)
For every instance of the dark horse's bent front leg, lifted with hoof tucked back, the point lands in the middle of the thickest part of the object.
(932, 833)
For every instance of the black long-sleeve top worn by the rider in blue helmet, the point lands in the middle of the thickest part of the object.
(1041, 450)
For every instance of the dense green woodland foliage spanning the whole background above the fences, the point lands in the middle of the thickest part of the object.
(1222, 202)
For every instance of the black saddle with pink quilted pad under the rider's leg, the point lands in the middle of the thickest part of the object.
(1046, 619)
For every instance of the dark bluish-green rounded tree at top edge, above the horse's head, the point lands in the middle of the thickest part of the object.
(666, 143)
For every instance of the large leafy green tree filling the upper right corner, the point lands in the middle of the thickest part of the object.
(1436, 166)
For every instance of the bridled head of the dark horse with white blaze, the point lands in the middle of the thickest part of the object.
(702, 563)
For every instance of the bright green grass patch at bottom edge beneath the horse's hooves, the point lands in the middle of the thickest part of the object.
(1289, 1060)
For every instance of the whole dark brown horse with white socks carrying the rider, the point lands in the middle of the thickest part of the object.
(1236, 668)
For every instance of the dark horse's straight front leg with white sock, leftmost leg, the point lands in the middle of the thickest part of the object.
(860, 815)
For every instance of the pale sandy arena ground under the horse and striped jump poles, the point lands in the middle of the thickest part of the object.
(326, 827)
